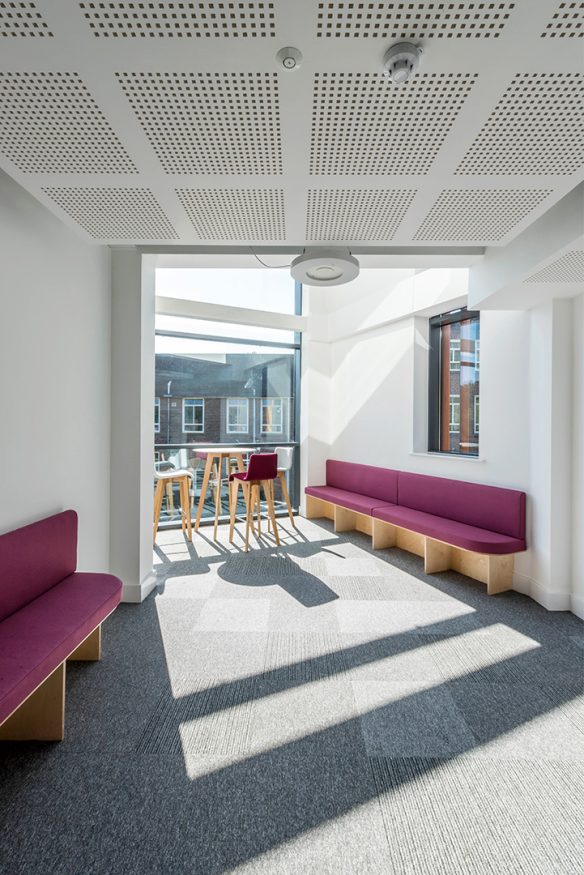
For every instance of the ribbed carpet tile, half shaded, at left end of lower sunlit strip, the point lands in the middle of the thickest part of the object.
(201, 718)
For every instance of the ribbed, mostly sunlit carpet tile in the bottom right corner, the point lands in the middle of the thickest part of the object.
(459, 817)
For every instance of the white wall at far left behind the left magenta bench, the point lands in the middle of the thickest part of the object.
(54, 373)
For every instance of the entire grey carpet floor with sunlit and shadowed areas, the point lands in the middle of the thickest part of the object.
(313, 709)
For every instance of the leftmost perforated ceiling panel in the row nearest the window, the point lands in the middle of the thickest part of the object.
(115, 213)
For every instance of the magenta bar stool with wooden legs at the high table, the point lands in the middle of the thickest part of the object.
(261, 473)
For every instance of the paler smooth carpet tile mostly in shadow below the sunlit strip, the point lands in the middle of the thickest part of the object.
(402, 719)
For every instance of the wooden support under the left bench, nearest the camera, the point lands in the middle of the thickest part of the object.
(41, 717)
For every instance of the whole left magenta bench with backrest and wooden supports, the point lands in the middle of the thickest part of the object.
(49, 612)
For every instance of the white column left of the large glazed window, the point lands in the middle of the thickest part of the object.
(132, 432)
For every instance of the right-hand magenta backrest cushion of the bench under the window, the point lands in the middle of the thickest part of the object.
(486, 507)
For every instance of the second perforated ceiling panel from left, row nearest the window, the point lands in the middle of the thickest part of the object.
(235, 214)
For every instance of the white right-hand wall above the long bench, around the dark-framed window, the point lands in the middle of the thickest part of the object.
(376, 333)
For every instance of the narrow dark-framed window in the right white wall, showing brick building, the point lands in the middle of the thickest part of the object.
(454, 383)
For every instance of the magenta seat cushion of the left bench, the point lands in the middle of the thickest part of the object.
(37, 638)
